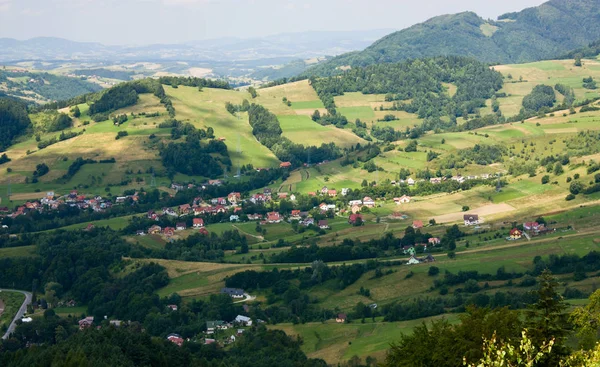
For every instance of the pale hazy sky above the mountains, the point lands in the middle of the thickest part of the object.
(174, 21)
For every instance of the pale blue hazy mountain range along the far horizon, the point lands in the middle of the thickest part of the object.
(288, 45)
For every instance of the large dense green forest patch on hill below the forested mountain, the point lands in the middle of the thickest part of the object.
(421, 83)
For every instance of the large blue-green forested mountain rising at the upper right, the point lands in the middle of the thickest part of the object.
(551, 29)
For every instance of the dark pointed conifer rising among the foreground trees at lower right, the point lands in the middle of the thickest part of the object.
(547, 319)
